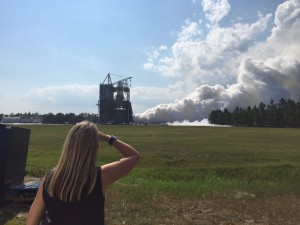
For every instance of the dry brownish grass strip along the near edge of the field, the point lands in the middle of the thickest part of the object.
(240, 208)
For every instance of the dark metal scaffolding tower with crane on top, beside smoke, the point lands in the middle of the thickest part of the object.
(114, 106)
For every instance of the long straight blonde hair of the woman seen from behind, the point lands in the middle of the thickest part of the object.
(75, 173)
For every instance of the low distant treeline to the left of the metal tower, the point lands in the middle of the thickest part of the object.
(58, 118)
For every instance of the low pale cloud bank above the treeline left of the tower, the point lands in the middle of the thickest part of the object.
(79, 98)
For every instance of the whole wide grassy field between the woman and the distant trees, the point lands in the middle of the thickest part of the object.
(190, 175)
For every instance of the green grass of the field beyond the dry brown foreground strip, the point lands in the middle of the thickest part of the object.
(183, 163)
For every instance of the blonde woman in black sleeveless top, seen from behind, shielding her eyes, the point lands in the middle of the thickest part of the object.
(74, 192)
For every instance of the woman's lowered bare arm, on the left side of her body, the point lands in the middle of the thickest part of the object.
(37, 209)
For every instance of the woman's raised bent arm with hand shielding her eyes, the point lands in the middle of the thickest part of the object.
(116, 170)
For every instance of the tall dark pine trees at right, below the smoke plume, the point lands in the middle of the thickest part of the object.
(284, 113)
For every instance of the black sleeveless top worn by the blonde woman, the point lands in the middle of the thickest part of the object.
(88, 211)
